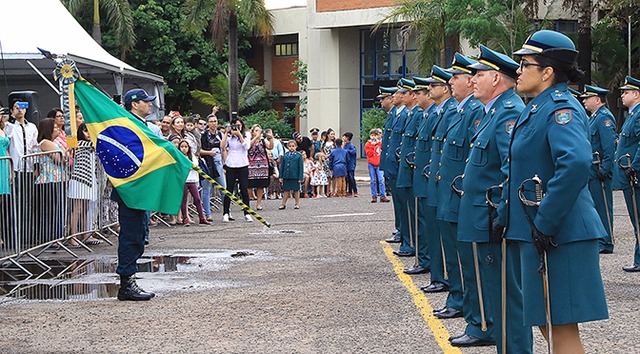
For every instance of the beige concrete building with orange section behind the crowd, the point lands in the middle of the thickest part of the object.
(346, 63)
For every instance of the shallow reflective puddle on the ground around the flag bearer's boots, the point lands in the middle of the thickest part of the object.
(90, 279)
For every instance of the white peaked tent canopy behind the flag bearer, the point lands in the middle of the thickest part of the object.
(46, 24)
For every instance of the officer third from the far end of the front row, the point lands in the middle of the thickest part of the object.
(405, 174)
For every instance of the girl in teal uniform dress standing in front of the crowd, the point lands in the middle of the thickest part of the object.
(291, 174)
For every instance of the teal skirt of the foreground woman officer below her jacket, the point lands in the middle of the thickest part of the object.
(575, 284)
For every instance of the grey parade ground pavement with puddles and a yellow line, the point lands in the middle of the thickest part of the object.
(317, 281)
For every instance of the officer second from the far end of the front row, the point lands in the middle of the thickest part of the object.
(392, 166)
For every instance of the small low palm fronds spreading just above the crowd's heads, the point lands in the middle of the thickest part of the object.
(250, 93)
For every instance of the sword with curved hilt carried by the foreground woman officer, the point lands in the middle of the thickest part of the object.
(544, 268)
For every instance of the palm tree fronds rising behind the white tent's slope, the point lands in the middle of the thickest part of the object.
(119, 17)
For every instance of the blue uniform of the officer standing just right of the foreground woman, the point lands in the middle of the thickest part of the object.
(602, 126)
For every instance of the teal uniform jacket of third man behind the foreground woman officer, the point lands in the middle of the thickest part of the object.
(438, 132)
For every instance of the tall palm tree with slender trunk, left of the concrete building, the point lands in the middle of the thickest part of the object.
(223, 14)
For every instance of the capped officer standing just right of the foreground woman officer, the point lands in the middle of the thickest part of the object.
(602, 126)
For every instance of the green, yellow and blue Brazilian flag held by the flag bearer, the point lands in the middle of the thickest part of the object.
(148, 172)
